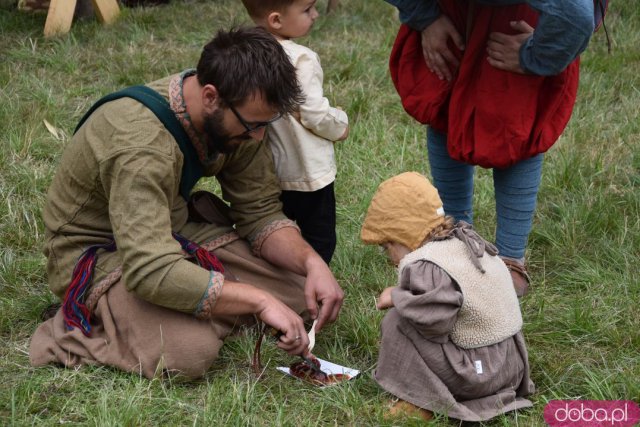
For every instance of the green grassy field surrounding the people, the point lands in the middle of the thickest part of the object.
(582, 321)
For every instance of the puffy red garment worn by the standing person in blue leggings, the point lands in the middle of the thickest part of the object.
(492, 118)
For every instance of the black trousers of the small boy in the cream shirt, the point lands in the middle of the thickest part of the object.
(315, 214)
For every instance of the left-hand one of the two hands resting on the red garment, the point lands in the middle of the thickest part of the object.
(437, 54)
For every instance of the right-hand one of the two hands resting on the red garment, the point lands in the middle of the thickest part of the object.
(504, 49)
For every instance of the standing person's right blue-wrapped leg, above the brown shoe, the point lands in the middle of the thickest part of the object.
(516, 191)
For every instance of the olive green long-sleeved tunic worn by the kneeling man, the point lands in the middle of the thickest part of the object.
(120, 176)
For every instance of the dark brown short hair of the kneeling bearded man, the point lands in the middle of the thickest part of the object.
(243, 62)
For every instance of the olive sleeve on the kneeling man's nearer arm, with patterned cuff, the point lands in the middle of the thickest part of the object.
(140, 184)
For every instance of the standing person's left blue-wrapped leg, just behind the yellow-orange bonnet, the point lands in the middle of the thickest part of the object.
(453, 179)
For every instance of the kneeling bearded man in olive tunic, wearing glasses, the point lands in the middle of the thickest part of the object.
(153, 277)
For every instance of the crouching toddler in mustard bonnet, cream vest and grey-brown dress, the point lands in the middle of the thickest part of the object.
(452, 343)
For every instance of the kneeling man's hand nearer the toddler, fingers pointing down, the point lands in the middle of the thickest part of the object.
(322, 293)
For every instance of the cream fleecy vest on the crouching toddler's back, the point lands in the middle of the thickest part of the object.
(490, 311)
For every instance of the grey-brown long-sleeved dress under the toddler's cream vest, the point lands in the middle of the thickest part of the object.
(419, 363)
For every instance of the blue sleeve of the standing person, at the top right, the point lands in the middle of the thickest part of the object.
(563, 32)
